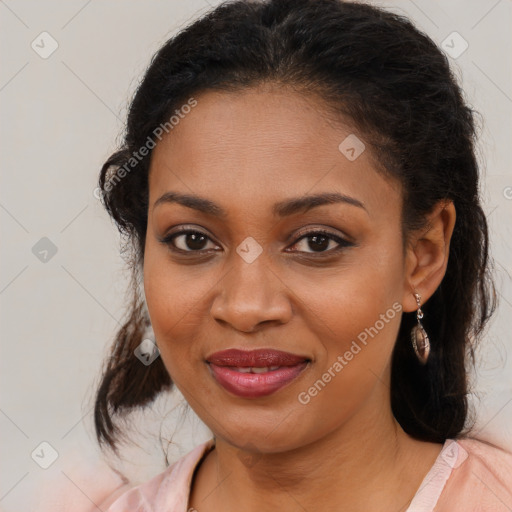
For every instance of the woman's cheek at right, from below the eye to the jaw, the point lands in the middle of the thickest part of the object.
(356, 315)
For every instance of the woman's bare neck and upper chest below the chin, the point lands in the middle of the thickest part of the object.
(369, 463)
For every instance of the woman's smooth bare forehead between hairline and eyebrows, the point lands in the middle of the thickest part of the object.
(255, 147)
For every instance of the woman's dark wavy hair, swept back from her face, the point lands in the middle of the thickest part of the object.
(396, 87)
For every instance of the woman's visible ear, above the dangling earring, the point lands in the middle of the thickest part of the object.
(427, 254)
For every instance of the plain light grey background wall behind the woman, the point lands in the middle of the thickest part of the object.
(60, 118)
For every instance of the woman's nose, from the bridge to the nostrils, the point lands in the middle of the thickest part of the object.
(251, 295)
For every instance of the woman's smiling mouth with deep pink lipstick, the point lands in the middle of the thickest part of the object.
(256, 373)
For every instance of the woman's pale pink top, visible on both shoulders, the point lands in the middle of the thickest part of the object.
(468, 475)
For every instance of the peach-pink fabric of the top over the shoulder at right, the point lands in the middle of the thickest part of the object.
(480, 479)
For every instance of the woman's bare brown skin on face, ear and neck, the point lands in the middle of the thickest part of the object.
(246, 151)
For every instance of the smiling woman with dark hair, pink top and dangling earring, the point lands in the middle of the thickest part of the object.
(299, 182)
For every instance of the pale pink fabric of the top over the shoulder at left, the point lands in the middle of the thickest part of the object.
(167, 491)
